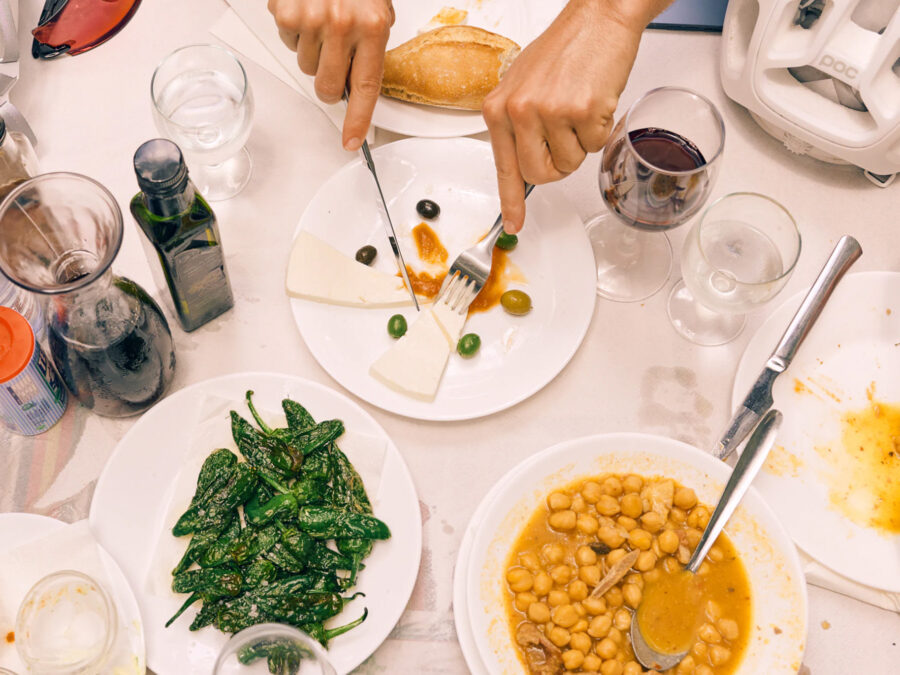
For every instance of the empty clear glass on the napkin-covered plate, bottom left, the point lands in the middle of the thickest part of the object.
(66, 624)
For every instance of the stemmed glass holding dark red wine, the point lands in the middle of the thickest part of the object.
(656, 172)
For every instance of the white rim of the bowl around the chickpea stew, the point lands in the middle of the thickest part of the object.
(776, 580)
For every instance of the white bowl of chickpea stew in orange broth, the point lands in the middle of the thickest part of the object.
(563, 557)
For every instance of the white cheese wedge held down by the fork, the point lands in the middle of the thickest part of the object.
(415, 363)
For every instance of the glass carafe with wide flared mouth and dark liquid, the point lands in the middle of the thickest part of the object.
(59, 233)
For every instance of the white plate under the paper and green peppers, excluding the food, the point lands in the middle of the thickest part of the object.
(131, 497)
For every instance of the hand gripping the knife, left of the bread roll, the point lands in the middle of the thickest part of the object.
(329, 37)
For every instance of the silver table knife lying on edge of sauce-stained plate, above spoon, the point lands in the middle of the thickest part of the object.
(759, 399)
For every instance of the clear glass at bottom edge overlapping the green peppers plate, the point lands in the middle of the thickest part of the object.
(272, 648)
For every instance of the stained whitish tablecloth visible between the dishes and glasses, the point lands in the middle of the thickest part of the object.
(632, 373)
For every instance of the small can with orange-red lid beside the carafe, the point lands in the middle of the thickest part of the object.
(32, 396)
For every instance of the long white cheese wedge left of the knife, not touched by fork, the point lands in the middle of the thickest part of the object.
(317, 271)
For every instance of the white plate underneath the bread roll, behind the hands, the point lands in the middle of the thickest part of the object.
(519, 20)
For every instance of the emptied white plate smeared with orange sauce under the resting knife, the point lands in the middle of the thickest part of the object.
(852, 350)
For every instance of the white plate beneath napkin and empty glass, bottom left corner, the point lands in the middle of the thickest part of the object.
(17, 529)
